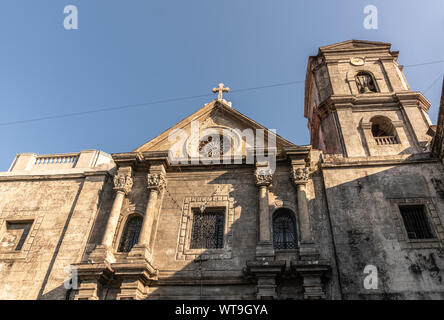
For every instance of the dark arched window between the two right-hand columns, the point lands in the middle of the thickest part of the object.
(284, 230)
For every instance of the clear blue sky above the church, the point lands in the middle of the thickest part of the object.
(132, 52)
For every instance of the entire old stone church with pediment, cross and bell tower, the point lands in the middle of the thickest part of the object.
(238, 212)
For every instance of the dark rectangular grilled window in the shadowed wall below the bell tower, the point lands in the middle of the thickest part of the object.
(416, 222)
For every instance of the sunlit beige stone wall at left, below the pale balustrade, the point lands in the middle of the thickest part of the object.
(62, 211)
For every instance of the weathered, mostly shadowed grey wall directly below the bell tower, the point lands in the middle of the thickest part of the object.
(368, 229)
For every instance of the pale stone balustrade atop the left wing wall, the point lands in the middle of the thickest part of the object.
(65, 162)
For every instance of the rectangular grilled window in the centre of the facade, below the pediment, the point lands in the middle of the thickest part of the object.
(208, 229)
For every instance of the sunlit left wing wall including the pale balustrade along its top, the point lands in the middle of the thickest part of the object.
(58, 196)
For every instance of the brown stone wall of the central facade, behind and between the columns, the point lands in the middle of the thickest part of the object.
(185, 275)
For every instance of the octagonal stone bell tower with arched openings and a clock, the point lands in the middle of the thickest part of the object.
(358, 102)
